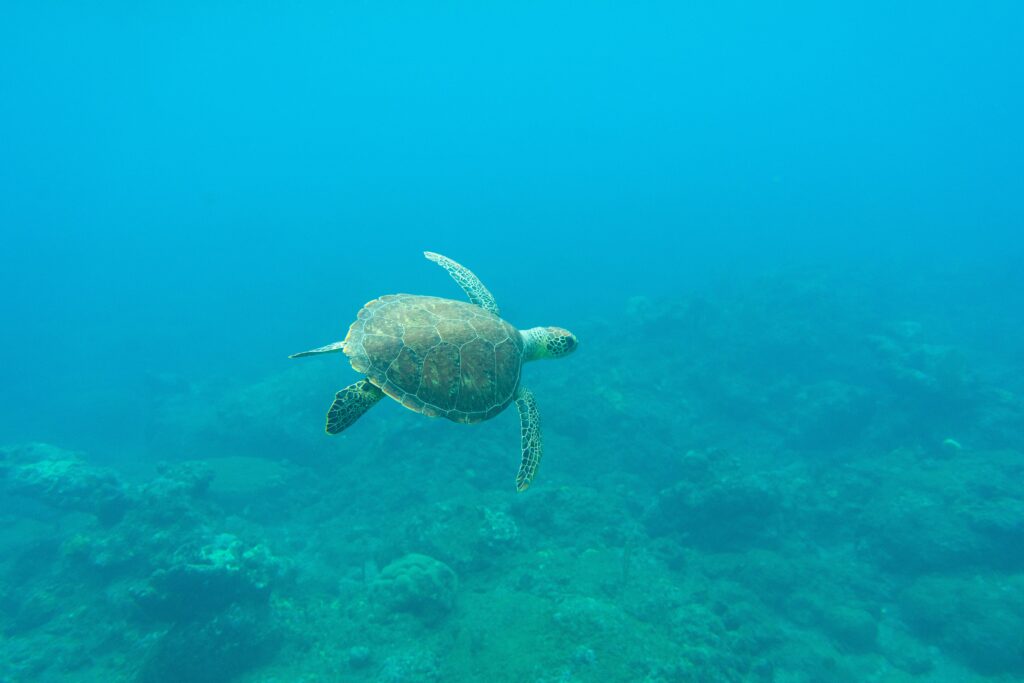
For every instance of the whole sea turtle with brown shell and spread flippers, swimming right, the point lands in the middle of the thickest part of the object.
(445, 359)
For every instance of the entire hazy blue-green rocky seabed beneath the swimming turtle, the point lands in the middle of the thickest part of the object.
(783, 483)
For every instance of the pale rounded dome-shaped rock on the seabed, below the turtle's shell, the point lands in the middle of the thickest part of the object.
(416, 585)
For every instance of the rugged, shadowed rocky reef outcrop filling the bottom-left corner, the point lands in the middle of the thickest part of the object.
(140, 569)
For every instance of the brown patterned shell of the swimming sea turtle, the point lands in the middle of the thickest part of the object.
(438, 357)
